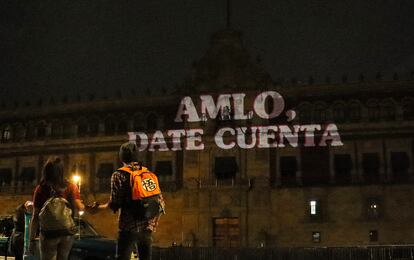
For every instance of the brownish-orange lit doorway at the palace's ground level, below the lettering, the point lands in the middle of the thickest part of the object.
(226, 232)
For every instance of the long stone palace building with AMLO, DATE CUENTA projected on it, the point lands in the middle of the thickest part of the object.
(266, 184)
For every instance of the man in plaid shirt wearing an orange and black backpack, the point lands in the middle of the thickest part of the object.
(136, 193)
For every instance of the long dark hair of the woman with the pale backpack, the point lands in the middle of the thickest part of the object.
(52, 173)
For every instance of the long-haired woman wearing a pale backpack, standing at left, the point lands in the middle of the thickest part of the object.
(54, 202)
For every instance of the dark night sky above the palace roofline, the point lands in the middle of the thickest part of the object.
(56, 48)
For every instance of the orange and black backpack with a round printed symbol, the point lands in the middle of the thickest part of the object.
(145, 192)
